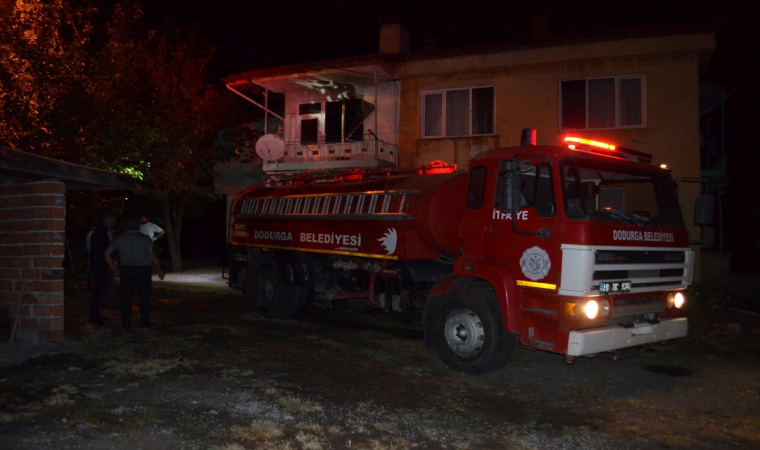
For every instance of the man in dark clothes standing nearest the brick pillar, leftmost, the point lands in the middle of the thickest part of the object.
(98, 241)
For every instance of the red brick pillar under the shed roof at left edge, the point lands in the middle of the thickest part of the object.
(32, 234)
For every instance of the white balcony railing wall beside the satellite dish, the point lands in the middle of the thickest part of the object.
(368, 154)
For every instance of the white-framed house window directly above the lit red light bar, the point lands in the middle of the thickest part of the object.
(612, 102)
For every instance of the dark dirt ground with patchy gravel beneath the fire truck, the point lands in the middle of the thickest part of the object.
(213, 374)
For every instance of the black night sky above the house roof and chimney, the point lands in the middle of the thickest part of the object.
(250, 35)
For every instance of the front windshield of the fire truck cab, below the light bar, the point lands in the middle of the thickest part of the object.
(605, 190)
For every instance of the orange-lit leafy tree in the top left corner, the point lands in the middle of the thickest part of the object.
(44, 51)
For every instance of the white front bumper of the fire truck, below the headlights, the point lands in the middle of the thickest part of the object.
(614, 337)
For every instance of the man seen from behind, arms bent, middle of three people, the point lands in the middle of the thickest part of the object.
(135, 251)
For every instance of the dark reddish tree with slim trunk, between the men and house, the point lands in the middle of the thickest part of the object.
(157, 116)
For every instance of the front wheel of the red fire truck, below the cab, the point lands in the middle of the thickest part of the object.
(468, 332)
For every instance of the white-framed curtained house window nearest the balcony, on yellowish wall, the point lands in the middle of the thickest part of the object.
(458, 112)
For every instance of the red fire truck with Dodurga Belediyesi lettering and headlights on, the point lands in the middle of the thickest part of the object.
(574, 249)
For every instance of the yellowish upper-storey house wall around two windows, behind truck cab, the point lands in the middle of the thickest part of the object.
(527, 96)
